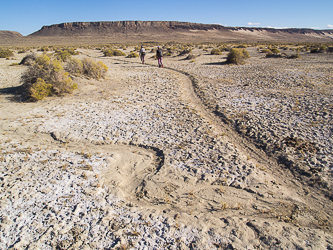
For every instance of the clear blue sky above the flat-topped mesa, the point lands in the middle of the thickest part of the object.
(28, 16)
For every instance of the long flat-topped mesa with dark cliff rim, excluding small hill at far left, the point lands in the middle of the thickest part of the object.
(180, 31)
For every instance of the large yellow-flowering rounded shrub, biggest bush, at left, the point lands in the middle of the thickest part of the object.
(45, 77)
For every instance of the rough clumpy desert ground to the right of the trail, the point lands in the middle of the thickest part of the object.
(284, 106)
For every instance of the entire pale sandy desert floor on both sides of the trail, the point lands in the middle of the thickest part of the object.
(154, 158)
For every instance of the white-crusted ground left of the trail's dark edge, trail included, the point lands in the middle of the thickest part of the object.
(135, 161)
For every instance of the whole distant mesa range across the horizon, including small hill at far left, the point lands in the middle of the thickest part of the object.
(163, 31)
